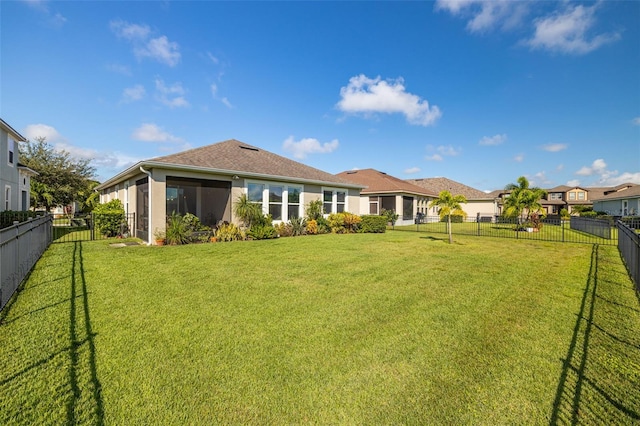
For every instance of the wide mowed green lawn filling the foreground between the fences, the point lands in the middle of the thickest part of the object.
(395, 328)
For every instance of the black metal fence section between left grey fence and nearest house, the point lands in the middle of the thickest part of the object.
(89, 227)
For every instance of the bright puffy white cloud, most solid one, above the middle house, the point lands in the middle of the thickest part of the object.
(373, 95)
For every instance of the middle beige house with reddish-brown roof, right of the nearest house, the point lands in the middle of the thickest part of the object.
(389, 193)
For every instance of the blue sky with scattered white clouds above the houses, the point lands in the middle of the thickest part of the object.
(479, 92)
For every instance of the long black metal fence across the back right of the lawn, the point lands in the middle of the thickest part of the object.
(549, 229)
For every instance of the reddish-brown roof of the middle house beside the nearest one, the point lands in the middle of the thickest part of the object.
(377, 182)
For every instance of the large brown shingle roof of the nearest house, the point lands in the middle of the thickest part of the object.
(237, 158)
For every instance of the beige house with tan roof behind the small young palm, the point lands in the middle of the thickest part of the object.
(478, 202)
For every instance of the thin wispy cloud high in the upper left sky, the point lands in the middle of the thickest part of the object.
(144, 45)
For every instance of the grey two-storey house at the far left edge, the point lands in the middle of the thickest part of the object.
(15, 178)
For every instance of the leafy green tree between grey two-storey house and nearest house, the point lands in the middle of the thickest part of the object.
(61, 178)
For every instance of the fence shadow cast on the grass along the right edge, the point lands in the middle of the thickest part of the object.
(589, 389)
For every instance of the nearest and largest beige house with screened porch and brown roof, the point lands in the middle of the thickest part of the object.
(206, 181)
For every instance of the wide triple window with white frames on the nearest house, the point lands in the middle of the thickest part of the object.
(280, 201)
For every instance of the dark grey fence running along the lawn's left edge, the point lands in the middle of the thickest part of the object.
(21, 245)
